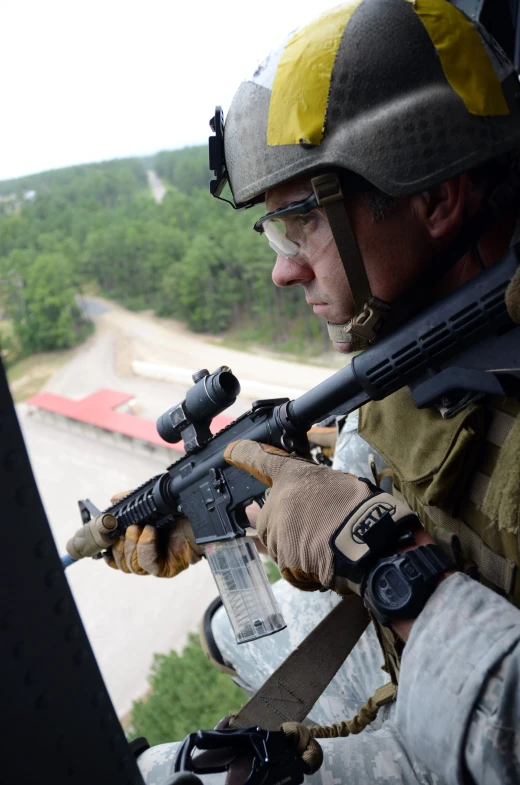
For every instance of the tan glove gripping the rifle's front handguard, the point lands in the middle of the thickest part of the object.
(146, 550)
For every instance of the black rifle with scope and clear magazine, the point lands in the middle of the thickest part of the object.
(452, 354)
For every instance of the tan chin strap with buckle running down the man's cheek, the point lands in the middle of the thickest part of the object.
(360, 331)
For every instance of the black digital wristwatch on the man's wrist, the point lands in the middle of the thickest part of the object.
(398, 587)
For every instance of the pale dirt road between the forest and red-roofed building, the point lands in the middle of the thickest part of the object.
(123, 336)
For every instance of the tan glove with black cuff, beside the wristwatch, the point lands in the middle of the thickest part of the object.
(307, 506)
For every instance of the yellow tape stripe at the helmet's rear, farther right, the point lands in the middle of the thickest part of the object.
(463, 57)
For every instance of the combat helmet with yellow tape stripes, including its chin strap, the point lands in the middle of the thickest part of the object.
(399, 95)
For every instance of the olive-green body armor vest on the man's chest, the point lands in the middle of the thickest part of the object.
(462, 478)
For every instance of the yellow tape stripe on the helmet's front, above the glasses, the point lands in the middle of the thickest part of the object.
(301, 84)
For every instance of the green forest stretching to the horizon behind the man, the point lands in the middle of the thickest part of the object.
(96, 228)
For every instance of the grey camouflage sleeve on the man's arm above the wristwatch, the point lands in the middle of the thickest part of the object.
(458, 707)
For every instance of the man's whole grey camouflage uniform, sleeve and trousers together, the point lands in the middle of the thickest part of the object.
(458, 706)
